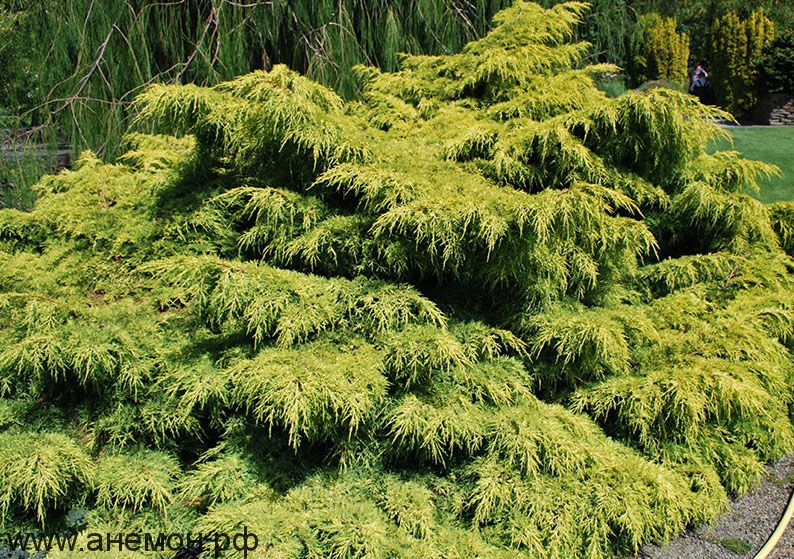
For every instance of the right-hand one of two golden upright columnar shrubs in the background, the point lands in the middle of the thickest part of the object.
(736, 45)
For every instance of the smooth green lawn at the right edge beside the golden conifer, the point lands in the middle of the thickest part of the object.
(774, 144)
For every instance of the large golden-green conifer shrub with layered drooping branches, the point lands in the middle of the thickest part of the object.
(485, 311)
